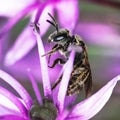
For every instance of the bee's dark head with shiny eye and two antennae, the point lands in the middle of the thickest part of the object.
(60, 36)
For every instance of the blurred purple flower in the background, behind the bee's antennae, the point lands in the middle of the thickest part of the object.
(38, 12)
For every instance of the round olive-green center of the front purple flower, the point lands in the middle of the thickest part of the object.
(47, 111)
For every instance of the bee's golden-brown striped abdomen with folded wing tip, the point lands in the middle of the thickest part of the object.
(80, 79)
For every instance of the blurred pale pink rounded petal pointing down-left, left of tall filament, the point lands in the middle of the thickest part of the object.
(22, 46)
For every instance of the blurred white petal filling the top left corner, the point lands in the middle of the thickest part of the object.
(12, 7)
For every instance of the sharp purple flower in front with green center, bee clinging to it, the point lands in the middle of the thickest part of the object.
(23, 107)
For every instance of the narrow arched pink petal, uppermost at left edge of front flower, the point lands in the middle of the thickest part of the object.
(19, 88)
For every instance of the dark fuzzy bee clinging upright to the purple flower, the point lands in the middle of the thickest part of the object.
(81, 76)
